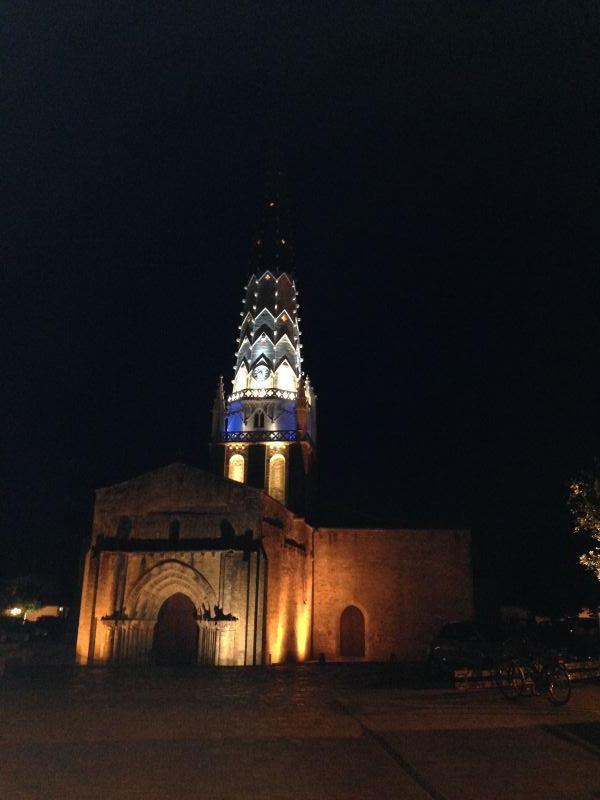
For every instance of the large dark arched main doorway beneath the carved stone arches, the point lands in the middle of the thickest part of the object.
(176, 631)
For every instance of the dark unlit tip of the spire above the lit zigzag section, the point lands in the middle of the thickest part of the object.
(272, 247)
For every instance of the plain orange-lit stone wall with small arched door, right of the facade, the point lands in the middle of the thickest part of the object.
(407, 583)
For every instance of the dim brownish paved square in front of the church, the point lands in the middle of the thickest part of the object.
(340, 731)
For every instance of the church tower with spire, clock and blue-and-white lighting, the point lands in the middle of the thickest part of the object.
(265, 428)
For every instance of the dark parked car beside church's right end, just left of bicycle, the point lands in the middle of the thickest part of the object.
(467, 644)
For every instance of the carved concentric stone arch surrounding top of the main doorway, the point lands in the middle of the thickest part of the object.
(163, 580)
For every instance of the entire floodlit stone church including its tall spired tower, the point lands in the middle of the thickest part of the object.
(222, 567)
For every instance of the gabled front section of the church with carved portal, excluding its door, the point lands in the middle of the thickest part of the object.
(226, 533)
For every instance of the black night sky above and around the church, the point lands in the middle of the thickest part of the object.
(443, 162)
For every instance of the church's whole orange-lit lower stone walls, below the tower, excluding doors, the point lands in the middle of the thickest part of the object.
(266, 587)
